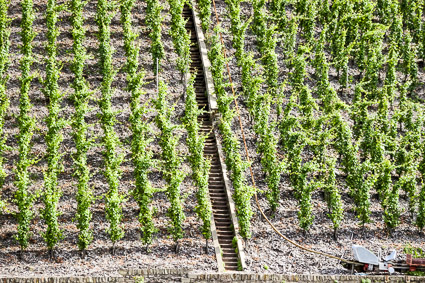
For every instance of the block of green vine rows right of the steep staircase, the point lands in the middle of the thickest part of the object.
(335, 91)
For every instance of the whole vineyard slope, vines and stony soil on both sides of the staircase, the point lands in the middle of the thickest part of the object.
(102, 155)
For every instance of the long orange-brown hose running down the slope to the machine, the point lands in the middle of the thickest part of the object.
(250, 168)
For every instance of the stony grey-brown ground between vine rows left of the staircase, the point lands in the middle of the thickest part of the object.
(130, 252)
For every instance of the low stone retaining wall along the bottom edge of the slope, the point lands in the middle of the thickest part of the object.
(187, 276)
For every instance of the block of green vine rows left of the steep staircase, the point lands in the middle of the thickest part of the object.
(168, 134)
